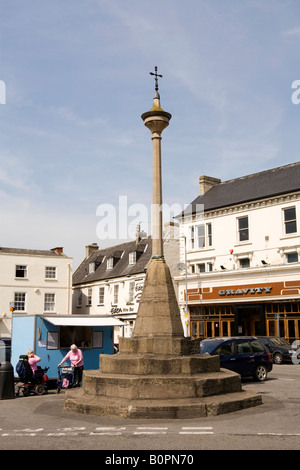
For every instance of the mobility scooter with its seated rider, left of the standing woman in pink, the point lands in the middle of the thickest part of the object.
(28, 381)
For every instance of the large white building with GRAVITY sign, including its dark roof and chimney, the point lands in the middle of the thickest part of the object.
(243, 252)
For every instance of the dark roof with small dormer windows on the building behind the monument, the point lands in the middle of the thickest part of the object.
(120, 253)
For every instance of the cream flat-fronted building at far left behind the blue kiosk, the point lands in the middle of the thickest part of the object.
(33, 282)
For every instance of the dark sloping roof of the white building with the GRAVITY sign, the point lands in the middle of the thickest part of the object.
(269, 183)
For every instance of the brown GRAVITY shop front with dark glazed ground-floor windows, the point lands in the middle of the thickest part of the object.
(271, 309)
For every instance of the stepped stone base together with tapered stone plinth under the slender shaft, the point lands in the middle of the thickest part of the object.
(158, 373)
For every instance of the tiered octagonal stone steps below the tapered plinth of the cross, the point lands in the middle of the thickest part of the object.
(161, 387)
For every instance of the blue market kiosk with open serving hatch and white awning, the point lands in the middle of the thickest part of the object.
(50, 337)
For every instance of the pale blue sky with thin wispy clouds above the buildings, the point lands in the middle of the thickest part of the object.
(75, 78)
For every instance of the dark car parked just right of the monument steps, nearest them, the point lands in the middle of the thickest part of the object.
(245, 355)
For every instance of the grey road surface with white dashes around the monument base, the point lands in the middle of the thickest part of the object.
(40, 422)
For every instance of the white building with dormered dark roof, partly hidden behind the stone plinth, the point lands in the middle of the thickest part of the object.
(110, 280)
